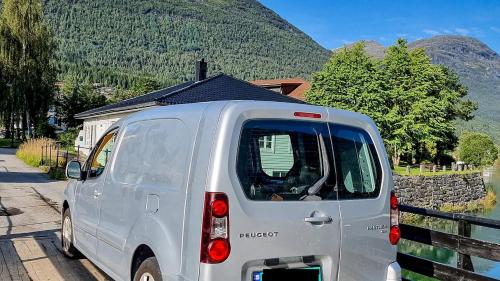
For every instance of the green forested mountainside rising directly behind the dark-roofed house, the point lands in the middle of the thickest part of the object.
(119, 41)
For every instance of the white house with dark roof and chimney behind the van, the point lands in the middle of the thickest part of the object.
(219, 87)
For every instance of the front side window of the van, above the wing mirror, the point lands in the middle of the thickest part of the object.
(101, 155)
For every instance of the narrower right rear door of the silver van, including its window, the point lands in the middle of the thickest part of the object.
(364, 203)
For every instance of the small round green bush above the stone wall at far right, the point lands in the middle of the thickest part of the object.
(477, 149)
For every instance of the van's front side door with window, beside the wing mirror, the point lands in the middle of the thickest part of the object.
(85, 214)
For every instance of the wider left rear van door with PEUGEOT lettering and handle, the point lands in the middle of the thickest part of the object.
(279, 177)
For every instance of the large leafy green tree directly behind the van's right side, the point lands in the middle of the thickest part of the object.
(413, 102)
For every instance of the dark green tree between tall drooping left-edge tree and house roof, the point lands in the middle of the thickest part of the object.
(76, 97)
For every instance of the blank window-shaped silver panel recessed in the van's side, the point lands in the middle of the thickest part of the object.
(153, 152)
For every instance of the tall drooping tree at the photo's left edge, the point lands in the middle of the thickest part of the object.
(27, 58)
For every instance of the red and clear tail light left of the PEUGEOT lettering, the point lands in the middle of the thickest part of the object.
(215, 246)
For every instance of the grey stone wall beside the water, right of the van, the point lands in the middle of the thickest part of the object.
(433, 191)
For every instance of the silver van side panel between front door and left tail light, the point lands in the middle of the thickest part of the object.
(145, 192)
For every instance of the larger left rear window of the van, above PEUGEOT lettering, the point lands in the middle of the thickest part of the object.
(286, 161)
